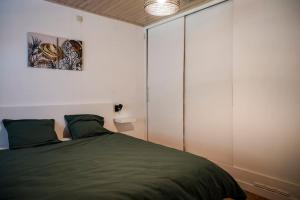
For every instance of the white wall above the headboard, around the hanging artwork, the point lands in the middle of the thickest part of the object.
(113, 59)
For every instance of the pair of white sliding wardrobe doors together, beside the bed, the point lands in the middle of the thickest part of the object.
(189, 90)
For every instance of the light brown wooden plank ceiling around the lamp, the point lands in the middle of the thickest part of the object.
(131, 11)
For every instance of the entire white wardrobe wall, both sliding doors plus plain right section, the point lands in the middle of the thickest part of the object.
(224, 83)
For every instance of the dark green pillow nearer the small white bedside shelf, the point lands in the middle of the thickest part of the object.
(86, 125)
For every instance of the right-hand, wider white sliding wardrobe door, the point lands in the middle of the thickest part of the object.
(208, 109)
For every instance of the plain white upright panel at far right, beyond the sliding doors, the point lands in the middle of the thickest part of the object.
(267, 88)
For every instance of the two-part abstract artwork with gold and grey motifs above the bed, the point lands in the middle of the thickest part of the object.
(54, 52)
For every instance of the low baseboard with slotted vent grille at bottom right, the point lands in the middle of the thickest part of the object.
(249, 180)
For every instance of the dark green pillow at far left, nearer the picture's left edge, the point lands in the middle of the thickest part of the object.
(30, 132)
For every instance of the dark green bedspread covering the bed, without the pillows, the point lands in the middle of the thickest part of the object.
(111, 167)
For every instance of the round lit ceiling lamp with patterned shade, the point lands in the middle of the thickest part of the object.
(161, 7)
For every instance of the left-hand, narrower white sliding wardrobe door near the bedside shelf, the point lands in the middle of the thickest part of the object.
(165, 83)
